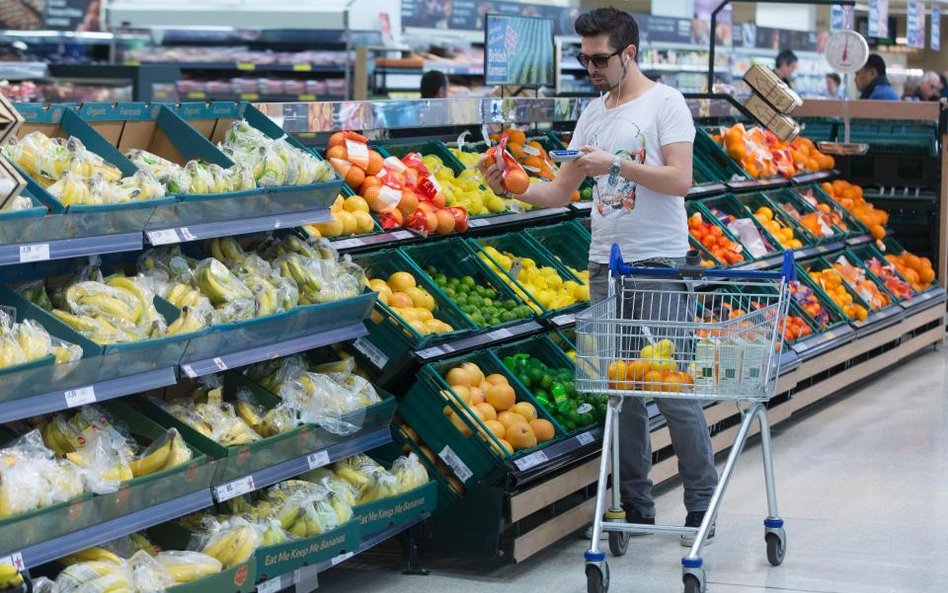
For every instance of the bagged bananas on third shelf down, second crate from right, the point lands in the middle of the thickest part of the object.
(207, 413)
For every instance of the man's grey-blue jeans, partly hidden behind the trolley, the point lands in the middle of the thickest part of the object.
(684, 418)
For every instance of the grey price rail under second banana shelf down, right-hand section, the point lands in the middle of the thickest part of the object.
(215, 364)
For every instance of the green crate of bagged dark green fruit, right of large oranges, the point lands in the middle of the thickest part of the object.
(564, 412)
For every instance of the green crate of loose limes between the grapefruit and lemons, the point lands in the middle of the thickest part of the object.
(454, 258)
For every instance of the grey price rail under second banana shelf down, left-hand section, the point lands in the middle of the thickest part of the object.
(70, 393)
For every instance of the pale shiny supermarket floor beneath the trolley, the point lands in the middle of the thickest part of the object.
(863, 486)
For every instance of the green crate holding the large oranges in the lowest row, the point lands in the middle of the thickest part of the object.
(473, 457)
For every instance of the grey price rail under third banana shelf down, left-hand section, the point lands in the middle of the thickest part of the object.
(114, 528)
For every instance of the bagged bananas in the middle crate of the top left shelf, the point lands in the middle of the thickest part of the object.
(196, 177)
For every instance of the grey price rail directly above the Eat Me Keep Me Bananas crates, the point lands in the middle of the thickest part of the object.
(294, 467)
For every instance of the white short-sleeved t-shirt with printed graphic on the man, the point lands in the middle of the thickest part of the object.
(644, 223)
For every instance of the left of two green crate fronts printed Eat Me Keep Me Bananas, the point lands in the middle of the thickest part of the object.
(273, 561)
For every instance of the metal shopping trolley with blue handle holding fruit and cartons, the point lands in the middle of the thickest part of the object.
(714, 339)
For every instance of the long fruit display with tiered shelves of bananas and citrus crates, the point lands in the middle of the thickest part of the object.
(281, 350)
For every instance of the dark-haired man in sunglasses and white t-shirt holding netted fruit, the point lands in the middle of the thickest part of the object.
(637, 144)
